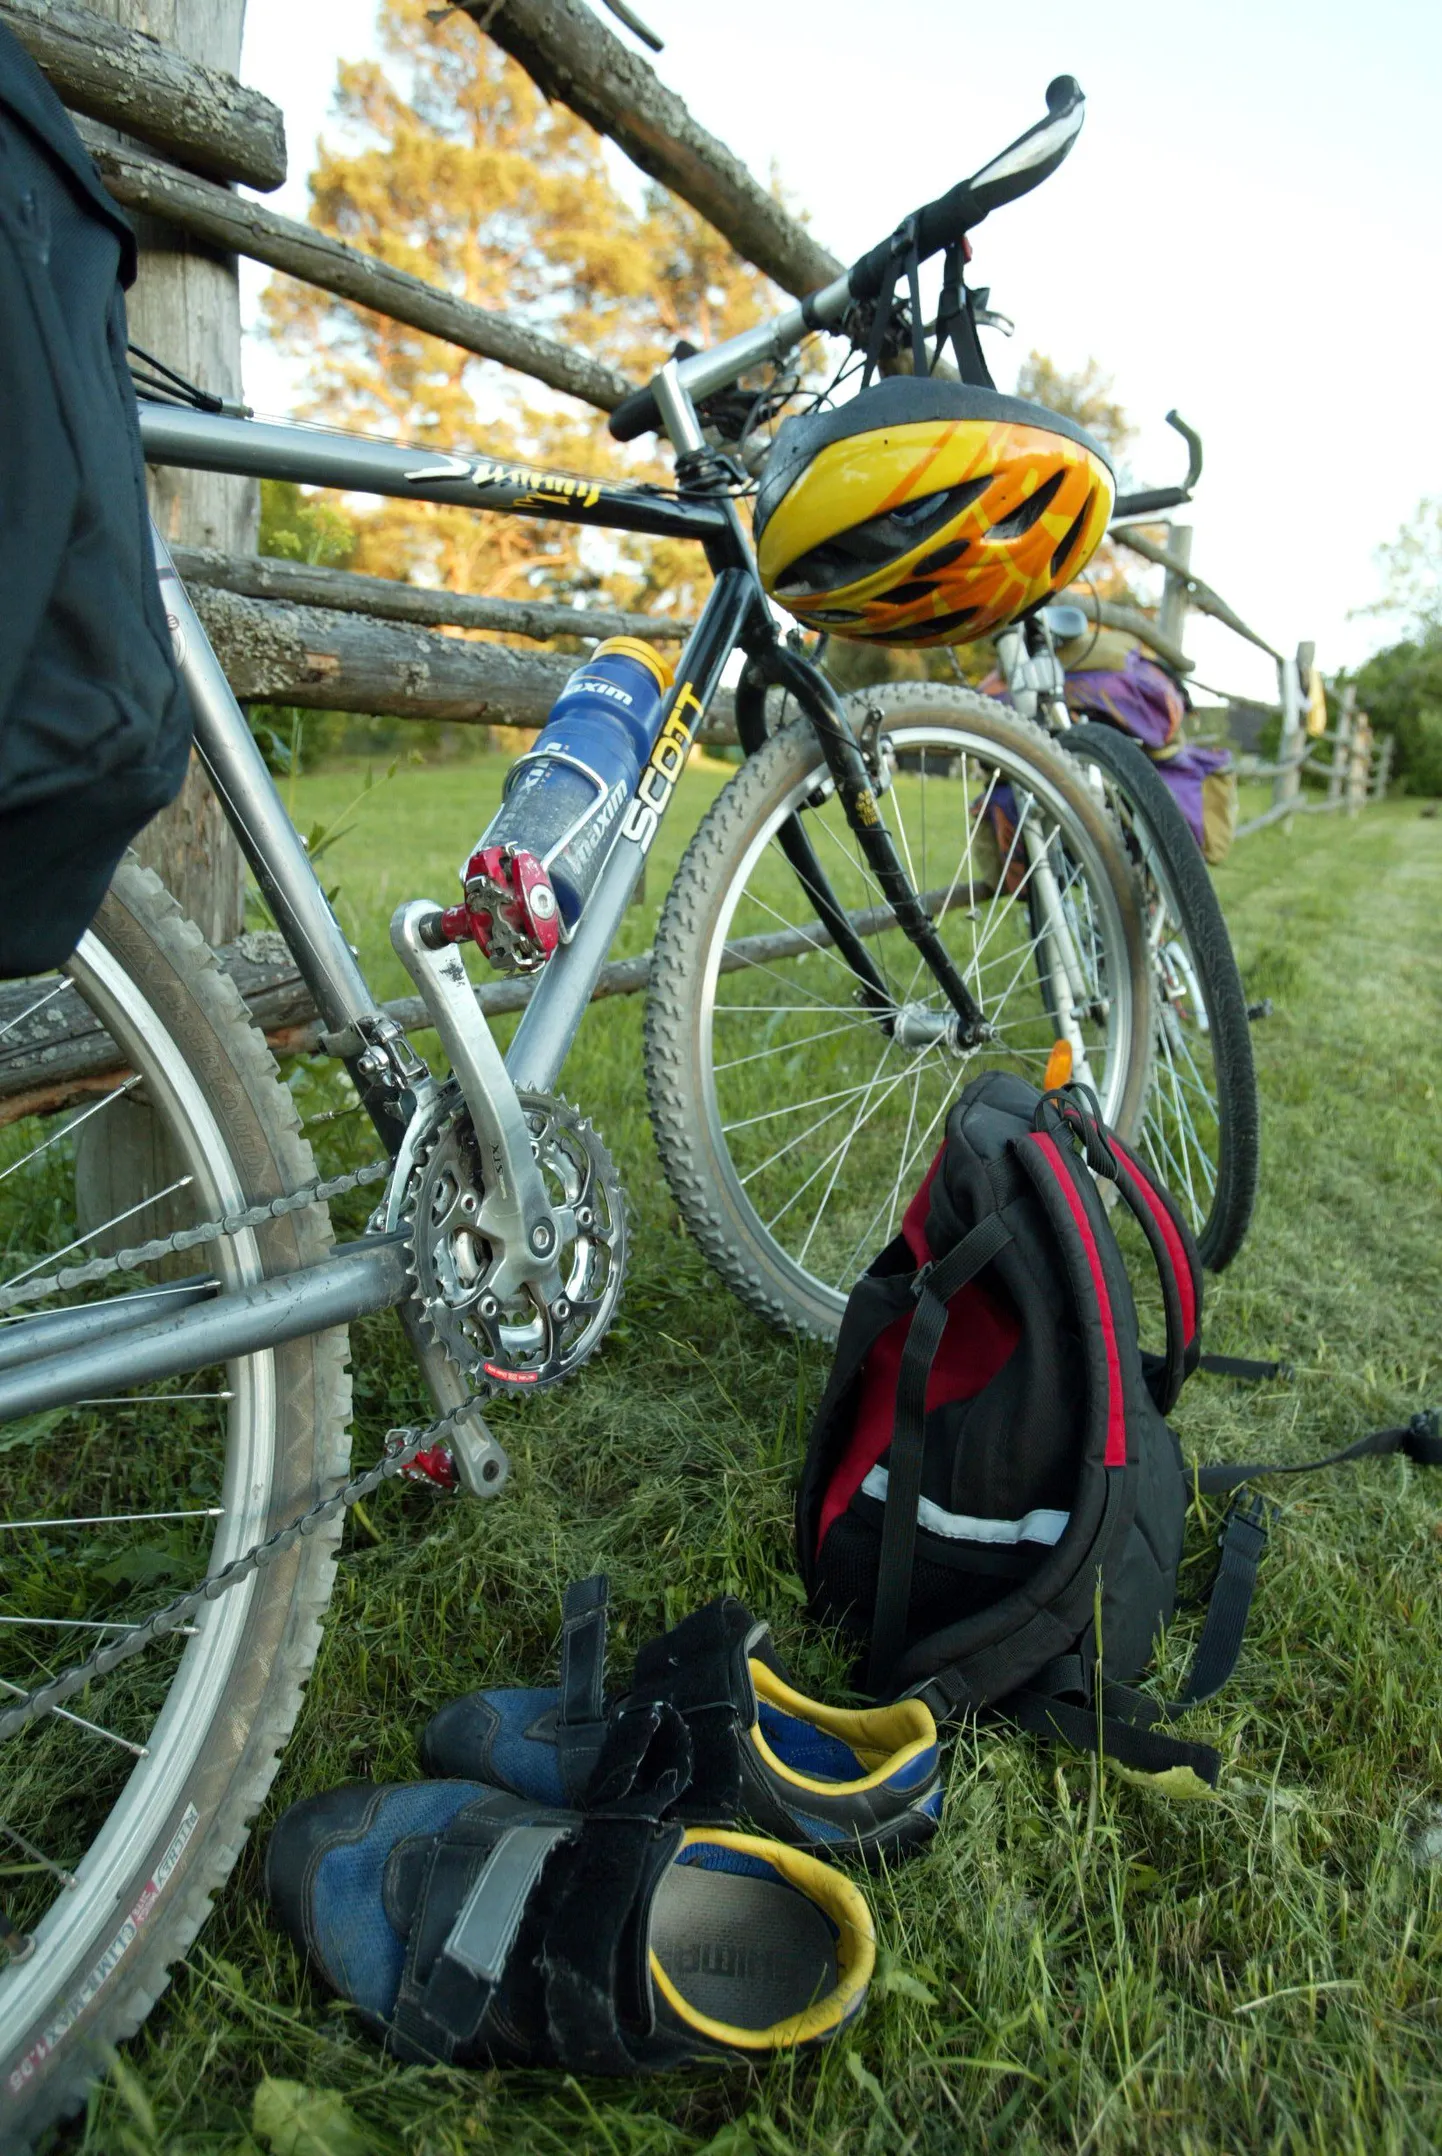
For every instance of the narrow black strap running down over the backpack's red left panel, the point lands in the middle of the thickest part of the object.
(932, 1288)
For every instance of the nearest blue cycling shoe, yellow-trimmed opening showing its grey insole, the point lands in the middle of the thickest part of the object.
(475, 1929)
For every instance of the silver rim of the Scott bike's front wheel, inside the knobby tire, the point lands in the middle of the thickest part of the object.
(831, 1282)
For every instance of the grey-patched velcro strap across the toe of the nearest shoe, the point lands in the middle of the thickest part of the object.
(480, 1894)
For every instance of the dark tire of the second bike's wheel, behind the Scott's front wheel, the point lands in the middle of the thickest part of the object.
(1195, 904)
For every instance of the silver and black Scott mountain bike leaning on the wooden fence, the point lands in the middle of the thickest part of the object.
(844, 948)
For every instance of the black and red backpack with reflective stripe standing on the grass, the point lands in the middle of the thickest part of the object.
(993, 1499)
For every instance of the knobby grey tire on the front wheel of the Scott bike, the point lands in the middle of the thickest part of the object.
(702, 1163)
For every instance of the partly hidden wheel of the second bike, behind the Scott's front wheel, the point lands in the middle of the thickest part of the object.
(1202, 1131)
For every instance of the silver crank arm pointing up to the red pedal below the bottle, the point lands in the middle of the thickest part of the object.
(516, 1215)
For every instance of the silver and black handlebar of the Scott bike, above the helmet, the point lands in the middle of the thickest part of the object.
(1023, 167)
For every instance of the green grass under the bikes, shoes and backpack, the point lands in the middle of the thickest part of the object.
(1077, 1963)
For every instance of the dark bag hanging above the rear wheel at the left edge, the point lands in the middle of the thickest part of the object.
(94, 717)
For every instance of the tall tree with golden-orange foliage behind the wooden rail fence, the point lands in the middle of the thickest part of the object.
(462, 174)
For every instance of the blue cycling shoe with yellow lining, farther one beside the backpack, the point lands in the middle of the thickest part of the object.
(827, 1780)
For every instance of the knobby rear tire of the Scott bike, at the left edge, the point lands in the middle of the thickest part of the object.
(105, 1950)
